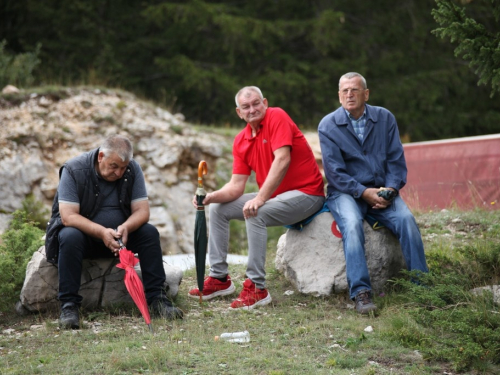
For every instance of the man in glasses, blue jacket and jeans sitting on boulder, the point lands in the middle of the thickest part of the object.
(362, 153)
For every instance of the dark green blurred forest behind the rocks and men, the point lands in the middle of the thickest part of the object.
(193, 55)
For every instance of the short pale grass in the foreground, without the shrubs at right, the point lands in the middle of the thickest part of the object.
(296, 334)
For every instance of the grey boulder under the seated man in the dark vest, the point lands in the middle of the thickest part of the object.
(101, 284)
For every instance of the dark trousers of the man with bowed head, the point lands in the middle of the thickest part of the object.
(74, 246)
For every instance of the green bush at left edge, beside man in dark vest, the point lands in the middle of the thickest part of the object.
(19, 243)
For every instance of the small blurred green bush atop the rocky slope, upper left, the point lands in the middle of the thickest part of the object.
(17, 69)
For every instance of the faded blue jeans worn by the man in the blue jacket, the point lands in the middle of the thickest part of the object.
(349, 214)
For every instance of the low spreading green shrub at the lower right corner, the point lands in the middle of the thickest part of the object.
(448, 323)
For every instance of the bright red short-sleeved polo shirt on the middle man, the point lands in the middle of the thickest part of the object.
(256, 154)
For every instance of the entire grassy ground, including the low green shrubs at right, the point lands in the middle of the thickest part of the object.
(417, 330)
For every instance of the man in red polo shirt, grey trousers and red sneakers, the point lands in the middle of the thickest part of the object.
(290, 190)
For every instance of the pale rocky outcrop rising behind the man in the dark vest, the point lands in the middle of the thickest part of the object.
(40, 131)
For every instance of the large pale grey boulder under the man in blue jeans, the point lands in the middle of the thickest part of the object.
(313, 259)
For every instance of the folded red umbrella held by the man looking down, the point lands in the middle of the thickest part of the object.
(133, 282)
